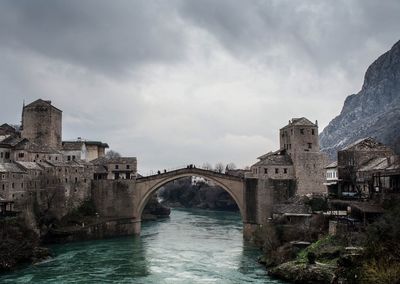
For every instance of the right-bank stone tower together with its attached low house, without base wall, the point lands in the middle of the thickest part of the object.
(299, 158)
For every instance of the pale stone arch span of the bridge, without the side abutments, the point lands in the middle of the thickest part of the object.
(147, 186)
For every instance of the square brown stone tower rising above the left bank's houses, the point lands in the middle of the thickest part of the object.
(41, 124)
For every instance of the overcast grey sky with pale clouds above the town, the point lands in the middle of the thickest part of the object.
(189, 81)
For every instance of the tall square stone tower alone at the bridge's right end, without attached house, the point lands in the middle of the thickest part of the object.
(300, 139)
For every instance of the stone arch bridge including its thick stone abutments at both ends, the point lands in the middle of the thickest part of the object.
(123, 201)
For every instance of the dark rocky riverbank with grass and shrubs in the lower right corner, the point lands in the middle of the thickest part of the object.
(370, 255)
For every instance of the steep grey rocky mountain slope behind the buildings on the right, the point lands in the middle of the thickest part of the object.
(373, 112)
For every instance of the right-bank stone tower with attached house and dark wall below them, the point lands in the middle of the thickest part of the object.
(296, 168)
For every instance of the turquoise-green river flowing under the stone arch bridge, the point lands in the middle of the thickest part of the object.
(192, 246)
